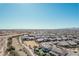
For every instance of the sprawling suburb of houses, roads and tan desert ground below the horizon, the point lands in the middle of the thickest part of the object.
(39, 42)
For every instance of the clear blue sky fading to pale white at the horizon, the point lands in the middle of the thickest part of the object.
(39, 16)
